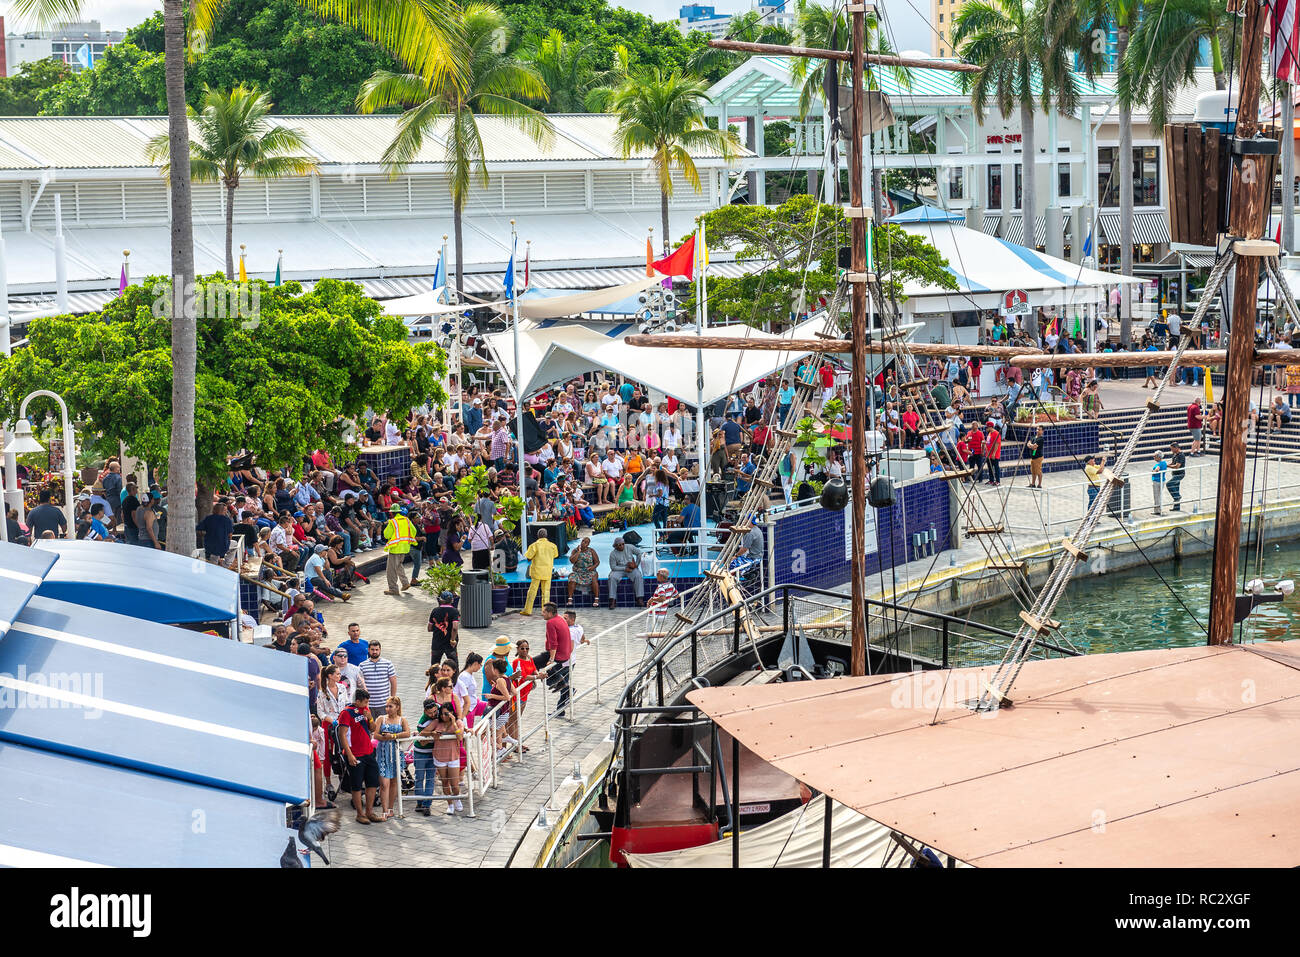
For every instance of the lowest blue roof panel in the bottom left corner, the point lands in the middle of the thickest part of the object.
(58, 811)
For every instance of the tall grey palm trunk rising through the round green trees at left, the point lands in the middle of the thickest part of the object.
(183, 473)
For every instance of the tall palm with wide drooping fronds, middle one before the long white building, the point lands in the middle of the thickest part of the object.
(492, 83)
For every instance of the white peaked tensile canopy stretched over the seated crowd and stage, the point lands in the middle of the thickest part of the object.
(557, 353)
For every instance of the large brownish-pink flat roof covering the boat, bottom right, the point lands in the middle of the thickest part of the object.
(1177, 757)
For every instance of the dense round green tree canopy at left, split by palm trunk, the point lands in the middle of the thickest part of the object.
(276, 386)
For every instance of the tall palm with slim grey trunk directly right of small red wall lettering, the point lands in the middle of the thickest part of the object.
(1020, 47)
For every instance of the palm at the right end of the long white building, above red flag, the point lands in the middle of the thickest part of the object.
(664, 115)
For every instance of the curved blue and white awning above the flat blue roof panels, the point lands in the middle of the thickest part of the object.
(142, 583)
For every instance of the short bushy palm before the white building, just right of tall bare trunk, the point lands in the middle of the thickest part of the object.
(236, 138)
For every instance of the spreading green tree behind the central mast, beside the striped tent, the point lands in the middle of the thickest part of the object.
(796, 235)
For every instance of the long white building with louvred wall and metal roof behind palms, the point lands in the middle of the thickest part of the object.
(586, 210)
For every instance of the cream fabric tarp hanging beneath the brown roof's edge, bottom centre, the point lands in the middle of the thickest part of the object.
(794, 841)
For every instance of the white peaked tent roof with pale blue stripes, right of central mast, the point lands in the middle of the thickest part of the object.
(987, 267)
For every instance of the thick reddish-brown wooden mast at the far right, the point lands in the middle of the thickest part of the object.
(1246, 220)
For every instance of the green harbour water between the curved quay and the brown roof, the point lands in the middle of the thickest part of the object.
(1134, 610)
